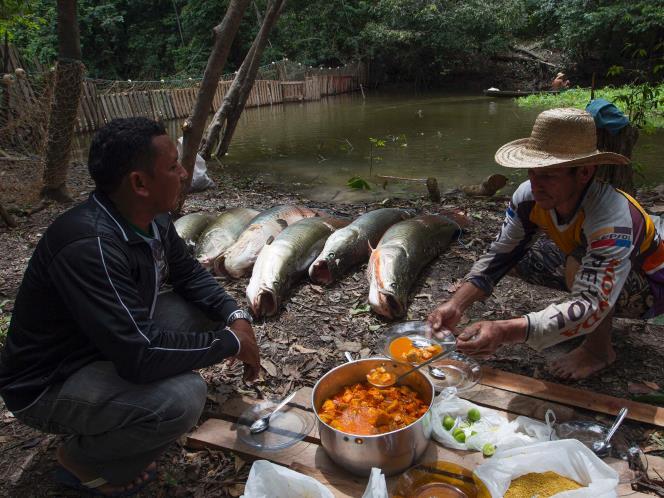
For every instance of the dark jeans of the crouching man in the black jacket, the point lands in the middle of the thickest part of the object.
(116, 428)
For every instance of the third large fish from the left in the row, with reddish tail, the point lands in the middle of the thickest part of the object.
(240, 257)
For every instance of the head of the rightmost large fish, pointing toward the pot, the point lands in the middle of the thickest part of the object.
(388, 292)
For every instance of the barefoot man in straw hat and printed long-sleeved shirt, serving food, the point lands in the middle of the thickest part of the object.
(599, 245)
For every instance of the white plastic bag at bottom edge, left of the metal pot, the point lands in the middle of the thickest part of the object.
(268, 480)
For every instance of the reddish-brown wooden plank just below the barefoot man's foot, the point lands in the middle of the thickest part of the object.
(572, 396)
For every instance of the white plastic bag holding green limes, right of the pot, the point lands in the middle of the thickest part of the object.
(492, 428)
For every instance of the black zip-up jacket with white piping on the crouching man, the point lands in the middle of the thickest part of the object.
(89, 293)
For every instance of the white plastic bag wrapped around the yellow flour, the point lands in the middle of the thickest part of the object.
(567, 457)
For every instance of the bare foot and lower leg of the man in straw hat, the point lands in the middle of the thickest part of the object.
(595, 353)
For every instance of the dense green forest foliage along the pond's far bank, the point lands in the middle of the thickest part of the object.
(410, 40)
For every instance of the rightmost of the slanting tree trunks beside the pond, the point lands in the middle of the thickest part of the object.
(272, 14)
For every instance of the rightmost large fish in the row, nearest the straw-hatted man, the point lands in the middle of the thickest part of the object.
(404, 250)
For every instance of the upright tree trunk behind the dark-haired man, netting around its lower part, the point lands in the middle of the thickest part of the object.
(64, 106)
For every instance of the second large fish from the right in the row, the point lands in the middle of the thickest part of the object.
(349, 246)
